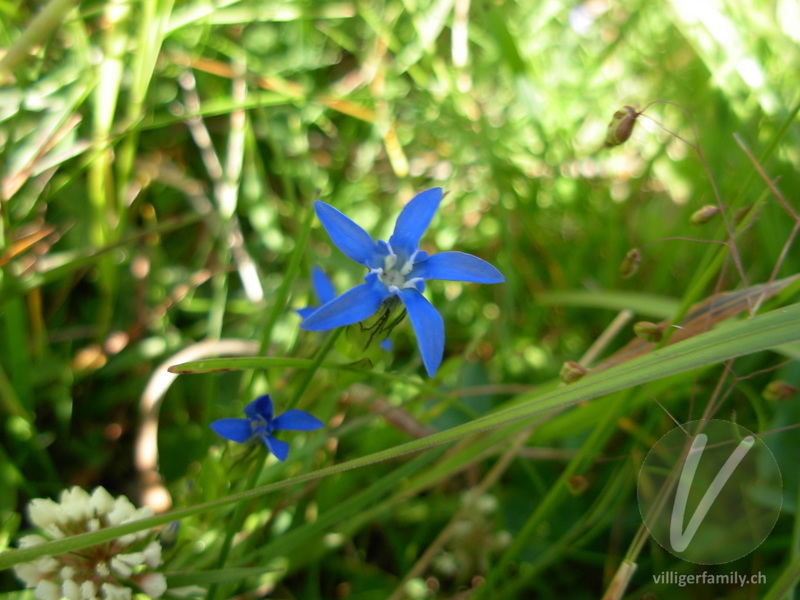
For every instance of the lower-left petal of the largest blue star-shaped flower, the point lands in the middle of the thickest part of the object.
(351, 307)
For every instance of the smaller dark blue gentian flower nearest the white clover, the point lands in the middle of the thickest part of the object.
(259, 422)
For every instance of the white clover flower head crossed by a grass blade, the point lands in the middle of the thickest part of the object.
(108, 571)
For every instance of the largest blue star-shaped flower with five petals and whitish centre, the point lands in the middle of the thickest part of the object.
(397, 267)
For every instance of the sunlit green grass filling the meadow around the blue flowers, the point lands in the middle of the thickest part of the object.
(158, 165)
